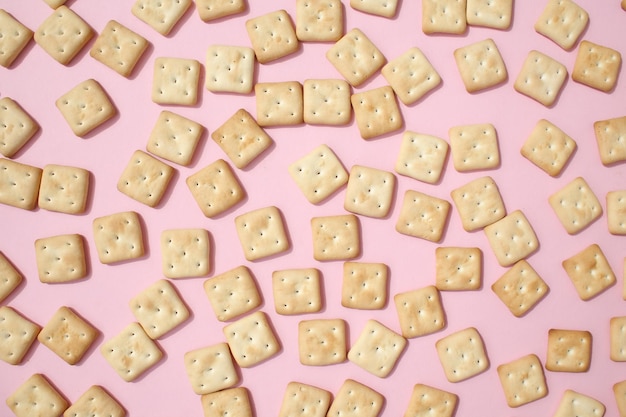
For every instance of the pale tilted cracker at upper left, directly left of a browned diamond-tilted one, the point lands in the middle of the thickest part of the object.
(174, 138)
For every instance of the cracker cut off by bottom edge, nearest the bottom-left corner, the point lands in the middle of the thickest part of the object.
(36, 397)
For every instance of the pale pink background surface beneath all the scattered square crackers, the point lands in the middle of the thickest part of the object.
(35, 80)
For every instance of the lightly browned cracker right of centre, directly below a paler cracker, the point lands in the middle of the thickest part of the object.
(423, 216)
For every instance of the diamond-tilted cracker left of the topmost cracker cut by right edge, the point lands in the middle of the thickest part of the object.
(548, 147)
